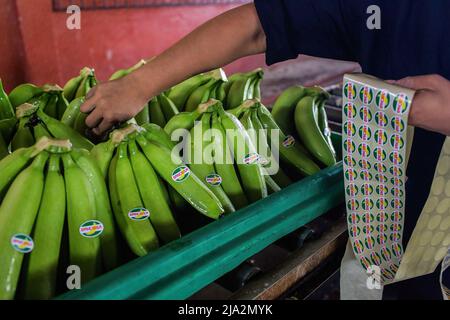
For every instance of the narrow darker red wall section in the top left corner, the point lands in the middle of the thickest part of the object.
(11, 49)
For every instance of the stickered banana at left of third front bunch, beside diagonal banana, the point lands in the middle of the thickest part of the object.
(204, 167)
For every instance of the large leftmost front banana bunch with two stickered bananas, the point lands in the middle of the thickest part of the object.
(40, 186)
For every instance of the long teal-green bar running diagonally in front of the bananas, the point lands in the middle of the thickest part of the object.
(181, 268)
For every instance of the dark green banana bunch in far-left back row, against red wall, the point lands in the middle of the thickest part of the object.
(50, 98)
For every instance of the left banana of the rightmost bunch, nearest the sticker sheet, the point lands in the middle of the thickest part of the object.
(283, 109)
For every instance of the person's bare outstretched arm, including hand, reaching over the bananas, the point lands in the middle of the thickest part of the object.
(232, 35)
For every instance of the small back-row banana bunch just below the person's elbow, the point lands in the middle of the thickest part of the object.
(241, 87)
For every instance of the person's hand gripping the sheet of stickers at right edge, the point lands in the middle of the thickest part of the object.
(430, 109)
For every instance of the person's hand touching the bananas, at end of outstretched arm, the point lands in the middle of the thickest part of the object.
(111, 103)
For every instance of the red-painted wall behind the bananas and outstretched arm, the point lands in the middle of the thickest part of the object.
(108, 39)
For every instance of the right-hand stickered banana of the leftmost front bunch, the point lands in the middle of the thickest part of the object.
(84, 244)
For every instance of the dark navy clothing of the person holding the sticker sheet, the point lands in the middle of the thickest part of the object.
(414, 39)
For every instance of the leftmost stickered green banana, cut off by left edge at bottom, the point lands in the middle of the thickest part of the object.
(22, 200)
